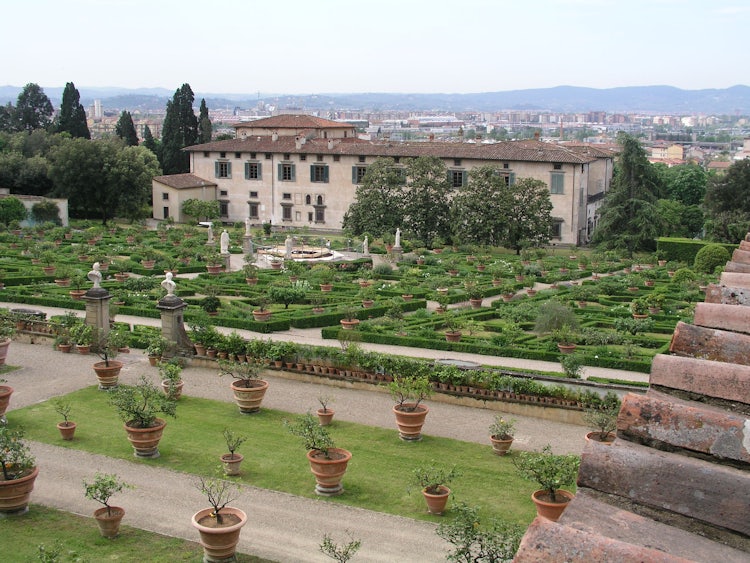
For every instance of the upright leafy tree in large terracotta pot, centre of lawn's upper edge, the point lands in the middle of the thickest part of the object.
(408, 392)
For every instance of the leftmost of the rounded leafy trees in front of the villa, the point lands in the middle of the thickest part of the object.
(378, 206)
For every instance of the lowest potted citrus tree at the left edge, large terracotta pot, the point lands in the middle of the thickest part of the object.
(18, 472)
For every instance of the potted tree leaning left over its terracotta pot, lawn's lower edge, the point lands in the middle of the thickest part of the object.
(327, 462)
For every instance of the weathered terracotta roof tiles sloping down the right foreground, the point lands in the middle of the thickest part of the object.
(675, 485)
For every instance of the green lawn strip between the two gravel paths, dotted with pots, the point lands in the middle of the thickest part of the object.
(378, 474)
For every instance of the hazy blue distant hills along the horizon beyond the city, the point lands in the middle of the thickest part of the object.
(658, 99)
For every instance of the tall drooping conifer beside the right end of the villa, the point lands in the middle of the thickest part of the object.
(629, 219)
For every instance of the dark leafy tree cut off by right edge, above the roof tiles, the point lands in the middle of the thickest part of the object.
(727, 203)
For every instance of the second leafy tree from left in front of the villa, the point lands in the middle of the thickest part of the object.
(426, 198)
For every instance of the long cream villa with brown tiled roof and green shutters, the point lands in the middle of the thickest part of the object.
(303, 171)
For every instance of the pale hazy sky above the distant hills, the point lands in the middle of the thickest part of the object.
(327, 46)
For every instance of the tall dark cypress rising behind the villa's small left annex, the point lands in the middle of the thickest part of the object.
(180, 130)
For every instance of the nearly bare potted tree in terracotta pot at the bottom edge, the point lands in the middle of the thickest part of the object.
(219, 526)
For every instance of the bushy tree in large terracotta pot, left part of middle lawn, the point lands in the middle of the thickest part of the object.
(138, 406)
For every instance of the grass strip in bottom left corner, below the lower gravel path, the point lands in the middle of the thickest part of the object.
(77, 538)
